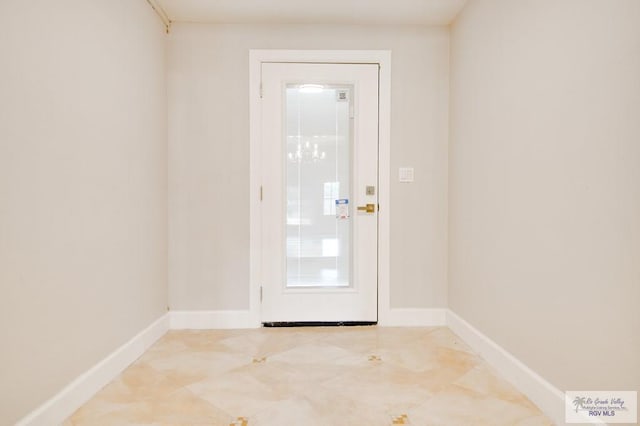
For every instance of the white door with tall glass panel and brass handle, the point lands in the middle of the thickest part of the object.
(320, 192)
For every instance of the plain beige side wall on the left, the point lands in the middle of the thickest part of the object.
(82, 189)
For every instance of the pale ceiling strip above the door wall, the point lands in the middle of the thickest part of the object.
(406, 12)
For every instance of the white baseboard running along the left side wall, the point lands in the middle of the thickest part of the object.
(57, 409)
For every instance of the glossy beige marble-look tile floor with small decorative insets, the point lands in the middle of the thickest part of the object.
(337, 376)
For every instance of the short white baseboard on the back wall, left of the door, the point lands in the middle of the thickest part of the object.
(204, 320)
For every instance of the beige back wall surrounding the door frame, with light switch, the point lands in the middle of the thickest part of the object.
(208, 73)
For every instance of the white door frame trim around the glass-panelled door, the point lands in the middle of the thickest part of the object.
(381, 57)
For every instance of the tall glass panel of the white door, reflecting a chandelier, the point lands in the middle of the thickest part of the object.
(318, 170)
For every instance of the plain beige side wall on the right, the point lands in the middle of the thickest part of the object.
(545, 184)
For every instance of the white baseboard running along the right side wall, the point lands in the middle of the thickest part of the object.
(542, 393)
